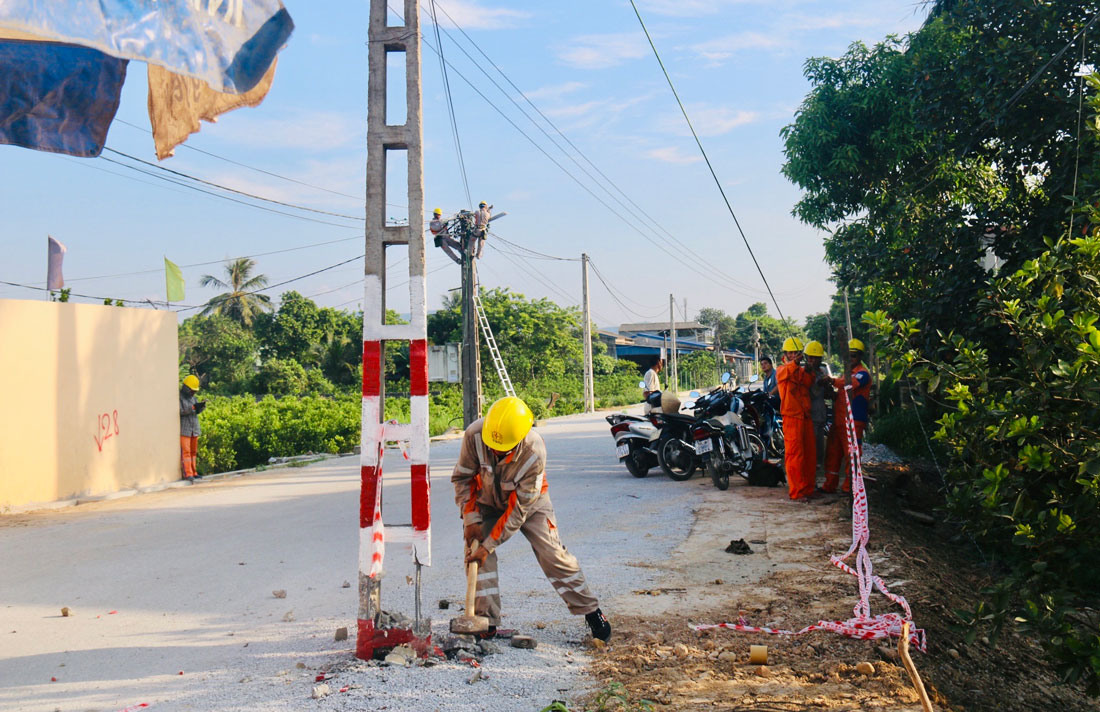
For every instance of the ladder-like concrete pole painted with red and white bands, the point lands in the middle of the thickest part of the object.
(376, 630)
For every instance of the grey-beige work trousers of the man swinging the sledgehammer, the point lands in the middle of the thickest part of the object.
(559, 566)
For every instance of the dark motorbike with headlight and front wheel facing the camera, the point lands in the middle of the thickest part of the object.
(723, 441)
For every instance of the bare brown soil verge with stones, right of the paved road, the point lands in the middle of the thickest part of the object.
(788, 583)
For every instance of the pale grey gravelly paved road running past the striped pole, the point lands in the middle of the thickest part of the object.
(182, 580)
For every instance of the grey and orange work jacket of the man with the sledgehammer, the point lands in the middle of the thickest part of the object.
(513, 485)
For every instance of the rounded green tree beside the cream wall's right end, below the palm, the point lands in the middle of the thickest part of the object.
(219, 350)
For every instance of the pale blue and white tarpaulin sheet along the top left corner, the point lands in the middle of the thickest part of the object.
(227, 43)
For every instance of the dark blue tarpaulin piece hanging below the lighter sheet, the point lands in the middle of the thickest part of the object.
(57, 97)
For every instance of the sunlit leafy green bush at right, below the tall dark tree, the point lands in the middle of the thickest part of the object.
(1026, 445)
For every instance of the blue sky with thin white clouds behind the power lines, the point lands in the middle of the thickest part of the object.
(738, 65)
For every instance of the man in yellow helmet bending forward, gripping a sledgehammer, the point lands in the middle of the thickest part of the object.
(501, 488)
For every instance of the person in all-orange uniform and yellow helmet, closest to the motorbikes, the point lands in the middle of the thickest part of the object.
(801, 456)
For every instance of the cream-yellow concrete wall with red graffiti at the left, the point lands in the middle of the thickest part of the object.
(89, 400)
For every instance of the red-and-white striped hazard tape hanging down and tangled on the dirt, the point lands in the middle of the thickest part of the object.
(863, 626)
